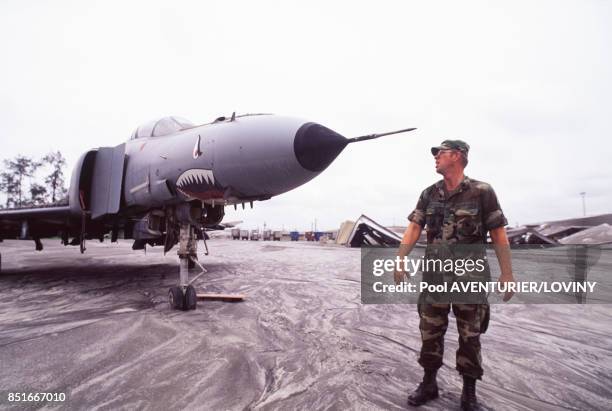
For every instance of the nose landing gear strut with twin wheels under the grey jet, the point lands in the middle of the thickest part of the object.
(183, 296)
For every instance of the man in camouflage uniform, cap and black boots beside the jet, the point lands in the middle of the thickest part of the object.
(455, 211)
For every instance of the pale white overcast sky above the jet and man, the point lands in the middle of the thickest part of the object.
(526, 83)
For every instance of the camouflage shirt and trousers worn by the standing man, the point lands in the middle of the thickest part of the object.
(460, 217)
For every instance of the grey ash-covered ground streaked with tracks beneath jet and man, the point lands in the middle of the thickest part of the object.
(97, 327)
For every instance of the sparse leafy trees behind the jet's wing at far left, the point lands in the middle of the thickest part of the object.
(19, 181)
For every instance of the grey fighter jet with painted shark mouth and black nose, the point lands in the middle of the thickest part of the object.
(172, 180)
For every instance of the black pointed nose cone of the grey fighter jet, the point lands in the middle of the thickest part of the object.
(317, 146)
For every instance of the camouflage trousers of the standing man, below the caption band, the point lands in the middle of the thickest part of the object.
(433, 325)
